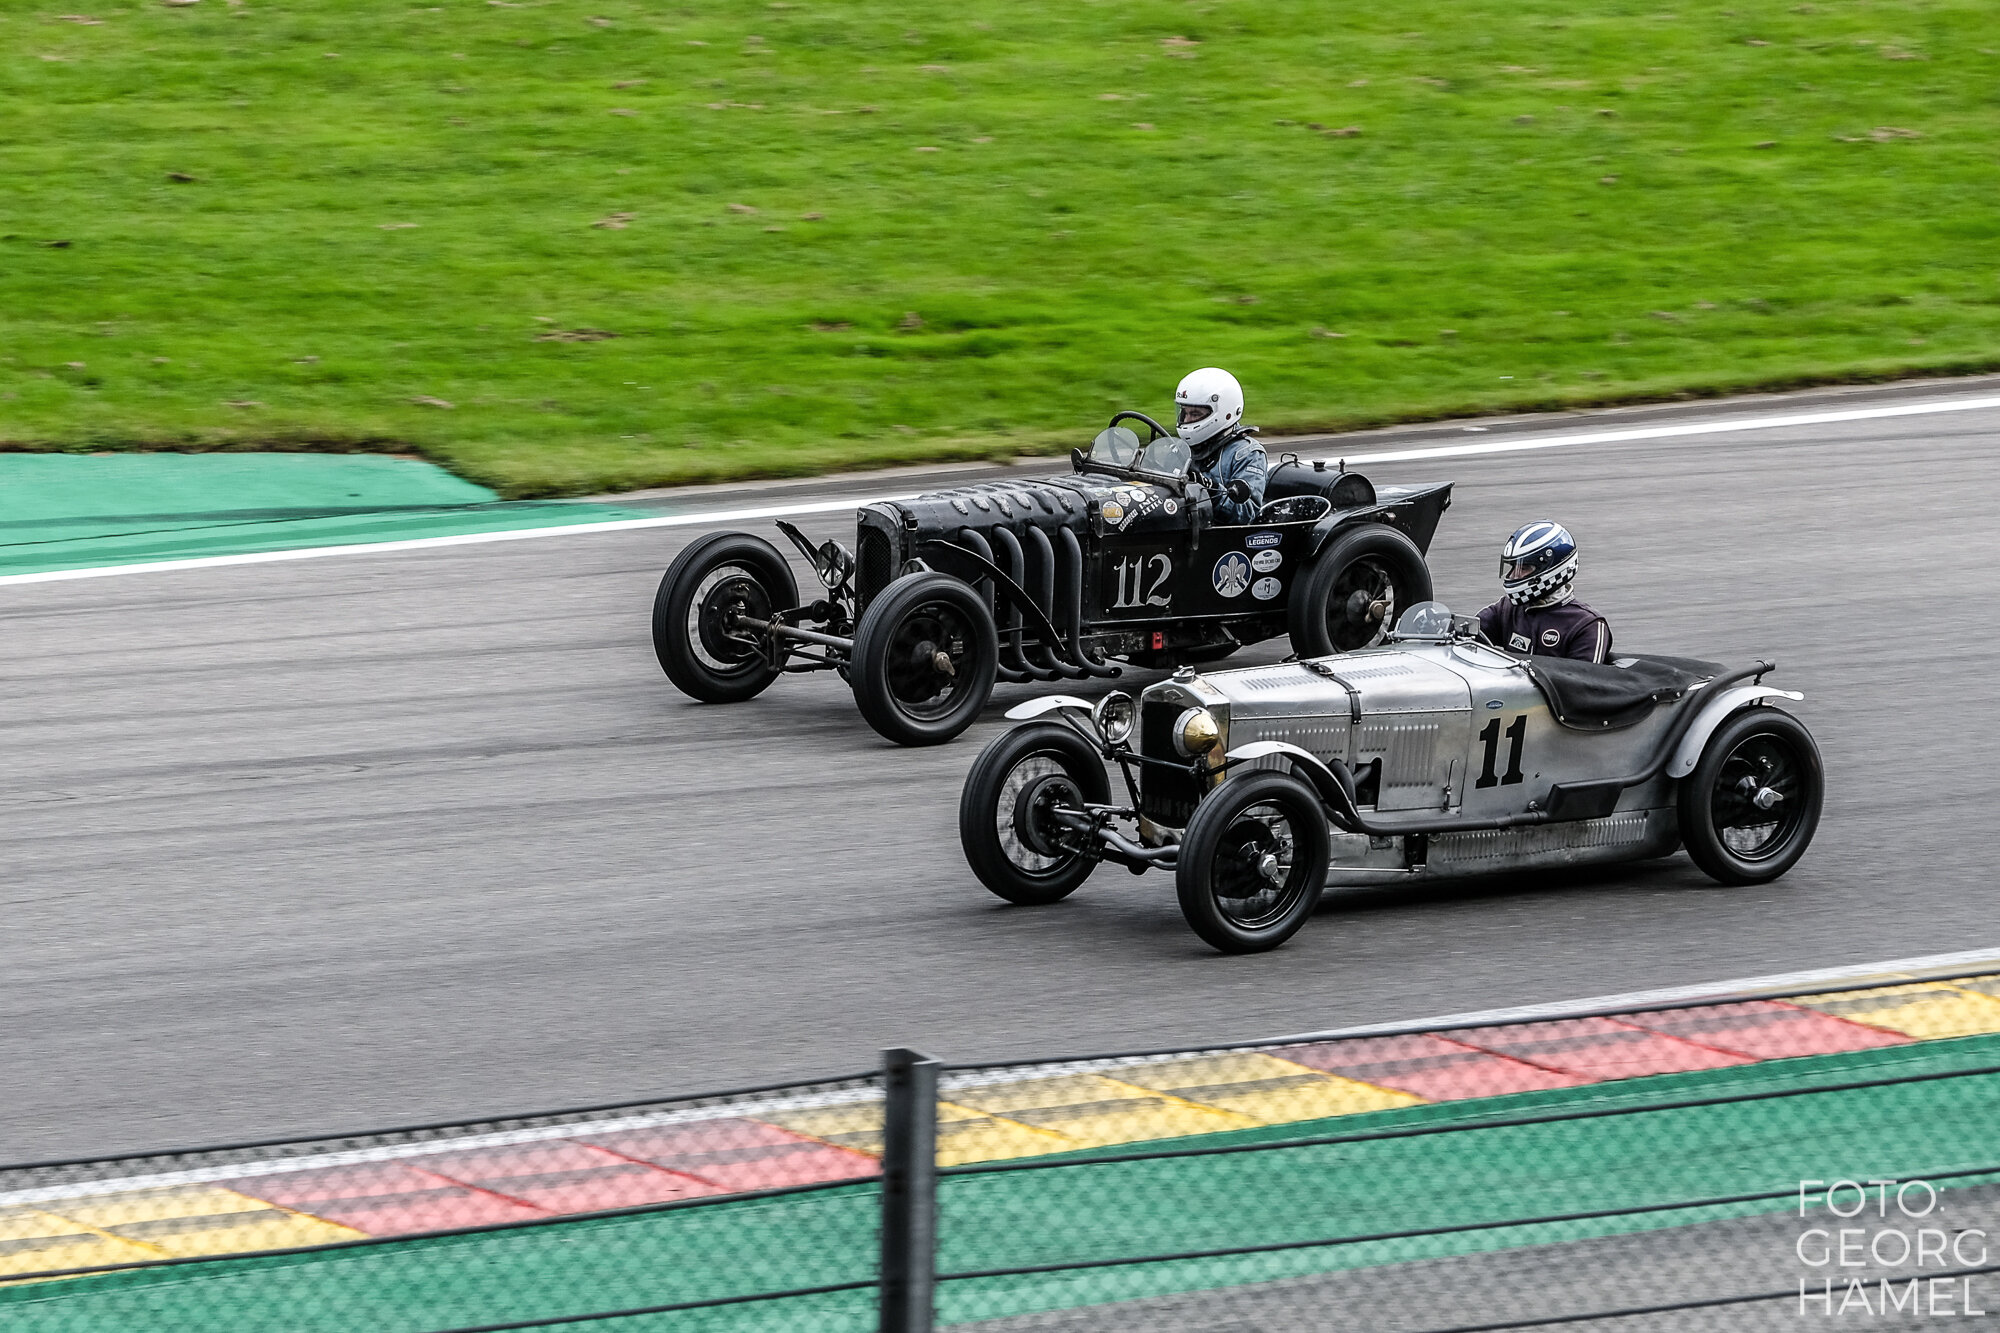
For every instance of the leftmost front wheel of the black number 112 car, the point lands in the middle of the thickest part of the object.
(709, 579)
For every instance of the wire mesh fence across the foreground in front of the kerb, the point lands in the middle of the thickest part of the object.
(1723, 1166)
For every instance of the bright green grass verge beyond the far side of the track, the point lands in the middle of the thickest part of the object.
(575, 247)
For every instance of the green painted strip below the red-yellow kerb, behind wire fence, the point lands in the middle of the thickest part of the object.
(1119, 1208)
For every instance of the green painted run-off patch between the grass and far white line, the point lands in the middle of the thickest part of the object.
(63, 511)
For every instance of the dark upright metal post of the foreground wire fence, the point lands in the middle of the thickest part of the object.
(909, 1190)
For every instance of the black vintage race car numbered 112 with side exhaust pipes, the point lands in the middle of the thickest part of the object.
(1049, 579)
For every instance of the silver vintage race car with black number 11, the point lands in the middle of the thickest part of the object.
(1433, 756)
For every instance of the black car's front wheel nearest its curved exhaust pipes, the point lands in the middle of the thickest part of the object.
(895, 668)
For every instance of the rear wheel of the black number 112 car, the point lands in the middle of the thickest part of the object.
(1355, 589)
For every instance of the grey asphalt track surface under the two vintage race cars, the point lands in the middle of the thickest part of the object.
(427, 836)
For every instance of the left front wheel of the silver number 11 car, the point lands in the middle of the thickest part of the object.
(1021, 858)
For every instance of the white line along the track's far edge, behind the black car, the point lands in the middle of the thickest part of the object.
(821, 507)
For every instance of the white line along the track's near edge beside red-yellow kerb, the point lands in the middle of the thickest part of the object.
(1895, 972)
